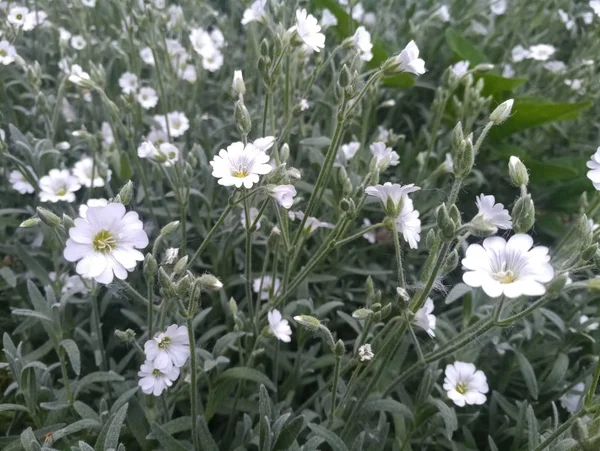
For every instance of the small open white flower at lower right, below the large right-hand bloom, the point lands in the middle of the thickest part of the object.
(465, 384)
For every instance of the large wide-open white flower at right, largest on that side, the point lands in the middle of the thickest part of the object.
(511, 268)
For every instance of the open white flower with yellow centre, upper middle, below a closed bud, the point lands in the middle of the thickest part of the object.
(240, 165)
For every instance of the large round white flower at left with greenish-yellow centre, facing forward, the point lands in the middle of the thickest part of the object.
(105, 243)
